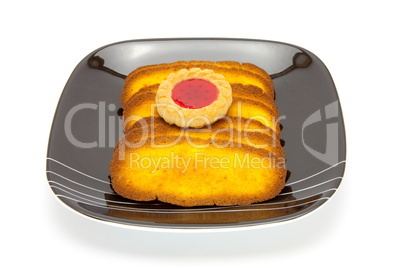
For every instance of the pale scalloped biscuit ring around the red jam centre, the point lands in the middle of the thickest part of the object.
(196, 118)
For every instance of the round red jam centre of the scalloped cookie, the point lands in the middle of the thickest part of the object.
(194, 93)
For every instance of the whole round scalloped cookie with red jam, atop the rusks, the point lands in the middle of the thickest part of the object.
(193, 98)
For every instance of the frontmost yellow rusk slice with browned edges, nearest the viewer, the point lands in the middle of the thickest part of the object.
(198, 183)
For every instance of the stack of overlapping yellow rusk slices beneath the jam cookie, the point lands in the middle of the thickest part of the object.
(249, 131)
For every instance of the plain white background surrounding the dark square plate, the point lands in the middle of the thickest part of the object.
(359, 41)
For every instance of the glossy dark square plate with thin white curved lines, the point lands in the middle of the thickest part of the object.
(87, 124)
